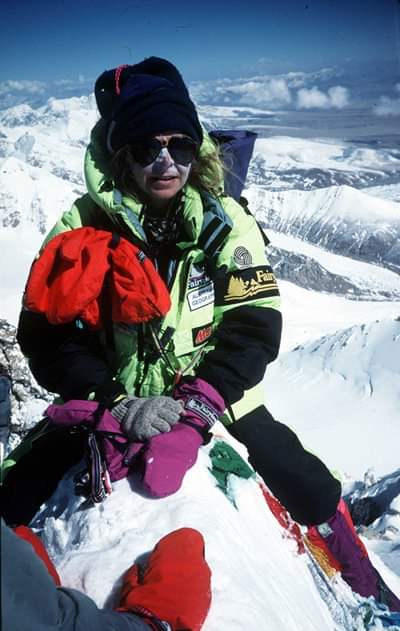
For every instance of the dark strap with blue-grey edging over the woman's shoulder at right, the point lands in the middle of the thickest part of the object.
(216, 226)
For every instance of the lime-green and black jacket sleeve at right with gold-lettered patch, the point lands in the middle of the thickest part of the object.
(247, 311)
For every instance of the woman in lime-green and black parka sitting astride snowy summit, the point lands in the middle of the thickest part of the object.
(154, 177)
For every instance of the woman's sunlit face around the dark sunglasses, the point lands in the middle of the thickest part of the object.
(161, 180)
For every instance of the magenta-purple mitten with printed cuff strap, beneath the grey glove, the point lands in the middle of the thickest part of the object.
(169, 456)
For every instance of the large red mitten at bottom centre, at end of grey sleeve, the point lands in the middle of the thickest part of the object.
(176, 586)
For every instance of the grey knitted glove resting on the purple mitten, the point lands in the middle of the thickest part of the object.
(143, 418)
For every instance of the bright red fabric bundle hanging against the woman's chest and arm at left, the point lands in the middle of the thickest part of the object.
(67, 280)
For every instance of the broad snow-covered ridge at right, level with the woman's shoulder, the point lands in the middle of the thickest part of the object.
(341, 219)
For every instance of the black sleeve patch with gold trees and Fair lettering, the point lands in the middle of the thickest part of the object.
(241, 285)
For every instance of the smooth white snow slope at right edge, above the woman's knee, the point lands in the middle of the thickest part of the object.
(344, 396)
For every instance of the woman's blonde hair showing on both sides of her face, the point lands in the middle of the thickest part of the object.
(206, 173)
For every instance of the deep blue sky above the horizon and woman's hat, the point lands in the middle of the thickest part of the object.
(66, 44)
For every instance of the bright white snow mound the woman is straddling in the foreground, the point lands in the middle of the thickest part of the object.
(259, 581)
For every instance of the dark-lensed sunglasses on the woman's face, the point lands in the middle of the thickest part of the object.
(182, 150)
